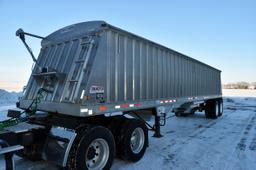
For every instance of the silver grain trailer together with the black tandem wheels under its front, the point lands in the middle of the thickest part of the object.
(92, 87)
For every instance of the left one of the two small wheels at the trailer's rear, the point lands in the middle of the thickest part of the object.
(211, 109)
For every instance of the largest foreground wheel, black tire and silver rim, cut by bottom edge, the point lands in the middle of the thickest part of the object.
(94, 149)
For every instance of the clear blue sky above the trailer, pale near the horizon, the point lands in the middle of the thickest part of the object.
(221, 33)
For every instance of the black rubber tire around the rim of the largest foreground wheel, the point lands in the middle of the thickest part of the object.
(94, 133)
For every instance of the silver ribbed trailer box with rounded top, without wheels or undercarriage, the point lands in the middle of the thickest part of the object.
(93, 68)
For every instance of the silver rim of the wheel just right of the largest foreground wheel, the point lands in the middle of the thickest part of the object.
(137, 140)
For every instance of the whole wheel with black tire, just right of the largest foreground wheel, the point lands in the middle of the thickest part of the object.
(134, 140)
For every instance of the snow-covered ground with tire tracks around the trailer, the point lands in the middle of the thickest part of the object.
(193, 142)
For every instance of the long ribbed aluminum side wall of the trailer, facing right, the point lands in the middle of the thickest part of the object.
(140, 70)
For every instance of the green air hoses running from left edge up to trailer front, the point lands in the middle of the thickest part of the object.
(24, 116)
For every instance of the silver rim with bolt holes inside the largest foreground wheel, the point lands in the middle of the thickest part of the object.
(98, 159)
